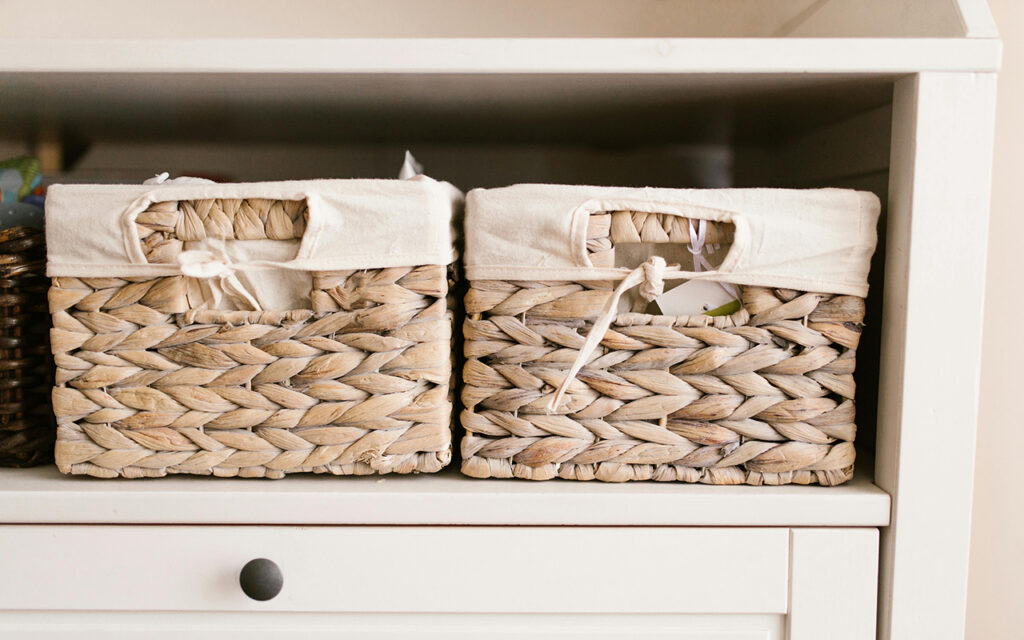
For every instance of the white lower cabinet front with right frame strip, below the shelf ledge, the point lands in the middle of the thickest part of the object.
(738, 582)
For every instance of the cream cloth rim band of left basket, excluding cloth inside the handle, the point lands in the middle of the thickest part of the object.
(354, 225)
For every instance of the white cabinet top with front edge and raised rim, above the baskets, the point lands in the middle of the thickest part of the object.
(497, 36)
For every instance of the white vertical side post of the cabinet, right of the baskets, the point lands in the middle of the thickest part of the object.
(931, 344)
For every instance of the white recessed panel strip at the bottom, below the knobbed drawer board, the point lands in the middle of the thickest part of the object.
(288, 626)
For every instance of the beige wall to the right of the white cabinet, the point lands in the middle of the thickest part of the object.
(996, 599)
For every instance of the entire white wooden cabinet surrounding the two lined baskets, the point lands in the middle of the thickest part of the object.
(892, 96)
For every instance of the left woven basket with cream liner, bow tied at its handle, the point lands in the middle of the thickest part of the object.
(156, 374)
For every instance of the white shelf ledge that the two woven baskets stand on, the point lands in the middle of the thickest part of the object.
(44, 496)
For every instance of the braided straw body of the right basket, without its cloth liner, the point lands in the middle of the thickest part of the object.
(763, 397)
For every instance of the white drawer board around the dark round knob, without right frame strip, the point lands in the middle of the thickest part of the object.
(399, 570)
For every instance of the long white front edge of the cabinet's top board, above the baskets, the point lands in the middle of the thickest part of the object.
(502, 56)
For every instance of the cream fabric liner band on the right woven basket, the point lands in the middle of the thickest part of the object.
(810, 240)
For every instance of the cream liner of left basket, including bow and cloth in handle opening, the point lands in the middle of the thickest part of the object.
(353, 225)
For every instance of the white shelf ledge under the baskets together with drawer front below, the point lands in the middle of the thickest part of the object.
(461, 558)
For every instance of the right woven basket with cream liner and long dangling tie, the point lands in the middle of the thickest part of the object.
(764, 396)
